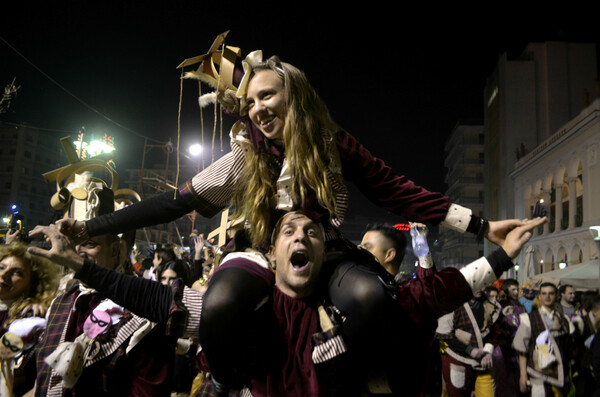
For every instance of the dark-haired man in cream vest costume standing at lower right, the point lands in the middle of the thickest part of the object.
(544, 341)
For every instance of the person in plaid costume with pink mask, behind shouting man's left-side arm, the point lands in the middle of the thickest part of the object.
(93, 346)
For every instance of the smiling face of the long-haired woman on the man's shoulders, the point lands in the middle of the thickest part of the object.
(266, 103)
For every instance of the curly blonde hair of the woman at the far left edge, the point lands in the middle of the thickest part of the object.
(44, 279)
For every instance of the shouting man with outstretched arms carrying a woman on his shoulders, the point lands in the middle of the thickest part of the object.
(294, 337)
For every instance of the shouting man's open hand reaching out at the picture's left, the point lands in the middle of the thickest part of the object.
(62, 251)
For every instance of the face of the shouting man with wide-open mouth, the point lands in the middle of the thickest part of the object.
(298, 254)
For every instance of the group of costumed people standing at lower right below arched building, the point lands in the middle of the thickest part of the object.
(520, 340)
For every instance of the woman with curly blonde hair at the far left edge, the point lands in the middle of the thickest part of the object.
(25, 279)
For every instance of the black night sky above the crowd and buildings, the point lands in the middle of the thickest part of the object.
(398, 81)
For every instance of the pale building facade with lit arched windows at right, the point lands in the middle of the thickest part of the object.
(563, 173)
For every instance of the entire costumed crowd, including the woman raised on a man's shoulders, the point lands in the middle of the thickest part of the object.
(288, 306)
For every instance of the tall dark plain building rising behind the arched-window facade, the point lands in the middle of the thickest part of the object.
(526, 101)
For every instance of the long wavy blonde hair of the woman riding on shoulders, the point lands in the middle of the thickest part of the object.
(308, 131)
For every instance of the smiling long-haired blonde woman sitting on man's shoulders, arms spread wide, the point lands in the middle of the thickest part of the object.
(286, 154)
